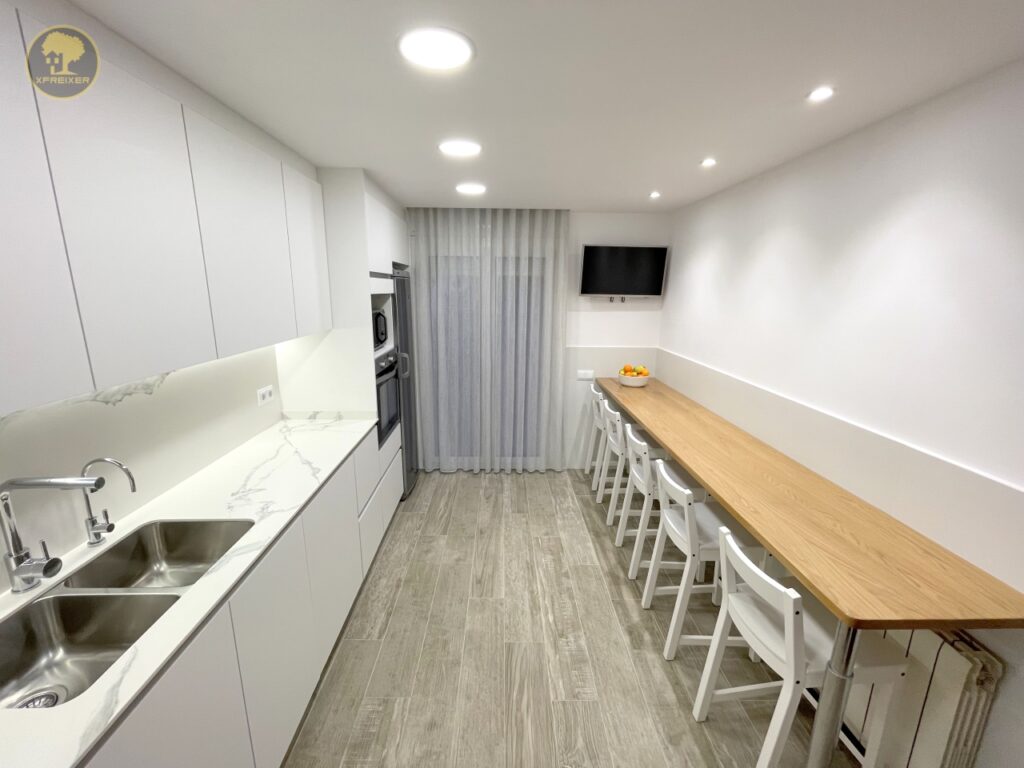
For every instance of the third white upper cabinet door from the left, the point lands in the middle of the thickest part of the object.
(241, 200)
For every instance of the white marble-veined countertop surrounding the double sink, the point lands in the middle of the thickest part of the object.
(268, 481)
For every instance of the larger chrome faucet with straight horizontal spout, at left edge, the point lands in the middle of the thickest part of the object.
(24, 571)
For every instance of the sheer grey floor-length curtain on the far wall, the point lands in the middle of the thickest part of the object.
(489, 291)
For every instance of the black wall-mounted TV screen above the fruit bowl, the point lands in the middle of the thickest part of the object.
(623, 271)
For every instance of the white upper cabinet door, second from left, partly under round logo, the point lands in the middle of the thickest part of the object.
(124, 188)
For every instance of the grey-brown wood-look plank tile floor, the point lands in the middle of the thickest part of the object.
(497, 628)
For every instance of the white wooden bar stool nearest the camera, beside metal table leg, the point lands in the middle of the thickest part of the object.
(794, 636)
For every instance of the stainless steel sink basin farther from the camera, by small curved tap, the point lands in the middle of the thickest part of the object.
(161, 556)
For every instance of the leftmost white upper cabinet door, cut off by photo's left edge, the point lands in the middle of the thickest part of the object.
(38, 315)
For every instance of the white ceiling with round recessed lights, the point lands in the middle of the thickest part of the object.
(579, 104)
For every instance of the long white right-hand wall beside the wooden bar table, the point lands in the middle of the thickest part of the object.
(862, 309)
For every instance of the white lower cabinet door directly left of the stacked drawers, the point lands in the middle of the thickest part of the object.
(332, 535)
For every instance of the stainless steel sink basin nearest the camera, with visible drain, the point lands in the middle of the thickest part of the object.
(56, 648)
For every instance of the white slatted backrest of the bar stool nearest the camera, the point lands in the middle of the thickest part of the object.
(738, 571)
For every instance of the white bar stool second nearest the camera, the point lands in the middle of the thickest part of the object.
(693, 527)
